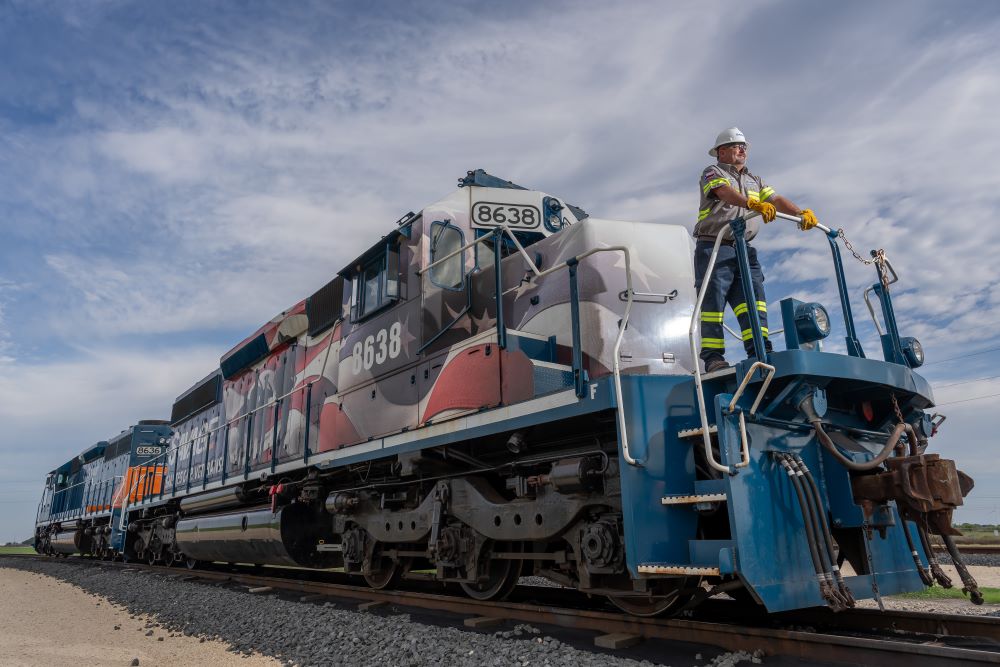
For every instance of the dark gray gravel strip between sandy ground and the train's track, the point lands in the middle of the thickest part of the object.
(326, 634)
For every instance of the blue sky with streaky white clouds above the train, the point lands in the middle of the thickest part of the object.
(172, 175)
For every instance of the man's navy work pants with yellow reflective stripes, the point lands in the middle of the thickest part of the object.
(725, 287)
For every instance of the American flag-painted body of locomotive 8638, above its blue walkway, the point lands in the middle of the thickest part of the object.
(429, 351)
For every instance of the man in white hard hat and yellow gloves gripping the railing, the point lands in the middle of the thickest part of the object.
(728, 191)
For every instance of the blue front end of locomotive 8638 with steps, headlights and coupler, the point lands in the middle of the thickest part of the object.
(799, 475)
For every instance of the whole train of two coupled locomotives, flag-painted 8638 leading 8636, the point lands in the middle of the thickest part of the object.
(504, 386)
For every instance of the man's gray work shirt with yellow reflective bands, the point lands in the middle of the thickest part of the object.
(715, 214)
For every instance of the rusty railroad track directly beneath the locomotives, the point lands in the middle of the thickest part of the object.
(854, 637)
